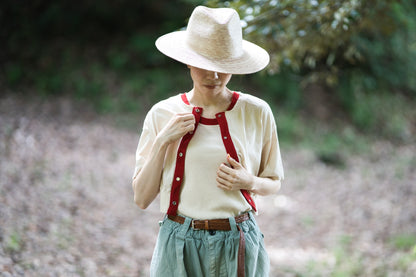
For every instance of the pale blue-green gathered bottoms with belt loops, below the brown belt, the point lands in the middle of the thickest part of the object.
(182, 251)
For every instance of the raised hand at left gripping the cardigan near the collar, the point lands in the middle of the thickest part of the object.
(177, 127)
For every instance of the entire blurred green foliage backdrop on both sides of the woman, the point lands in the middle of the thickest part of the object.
(362, 52)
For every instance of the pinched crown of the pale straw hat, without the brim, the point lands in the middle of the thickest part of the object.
(215, 33)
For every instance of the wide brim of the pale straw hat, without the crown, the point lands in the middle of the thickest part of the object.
(253, 59)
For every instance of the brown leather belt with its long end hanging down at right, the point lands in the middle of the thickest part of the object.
(221, 225)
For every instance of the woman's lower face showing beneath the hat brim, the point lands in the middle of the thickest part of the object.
(206, 81)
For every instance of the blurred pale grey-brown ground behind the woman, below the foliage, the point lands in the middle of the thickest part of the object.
(66, 203)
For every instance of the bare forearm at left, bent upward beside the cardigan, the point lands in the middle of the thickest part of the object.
(146, 183)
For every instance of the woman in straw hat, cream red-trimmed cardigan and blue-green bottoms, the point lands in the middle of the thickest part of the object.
(209, 152)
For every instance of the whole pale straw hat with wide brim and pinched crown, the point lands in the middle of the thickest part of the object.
(213, 41)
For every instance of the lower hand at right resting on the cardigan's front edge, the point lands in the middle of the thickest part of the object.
(234, 176)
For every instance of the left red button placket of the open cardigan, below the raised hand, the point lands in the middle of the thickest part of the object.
(180, 165)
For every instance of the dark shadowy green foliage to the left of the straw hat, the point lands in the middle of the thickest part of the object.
(98, 52)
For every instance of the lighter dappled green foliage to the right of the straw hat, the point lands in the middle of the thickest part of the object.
(356, 49)
